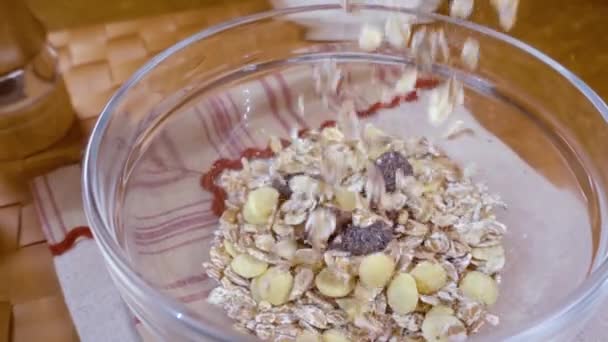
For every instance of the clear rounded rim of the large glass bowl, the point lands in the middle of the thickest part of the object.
(584, 296)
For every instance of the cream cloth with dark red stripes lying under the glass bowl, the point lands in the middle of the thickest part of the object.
(174, 230)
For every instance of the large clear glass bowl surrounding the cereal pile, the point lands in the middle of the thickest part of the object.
(536, 134)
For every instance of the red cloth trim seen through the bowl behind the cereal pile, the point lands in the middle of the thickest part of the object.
(219, 195)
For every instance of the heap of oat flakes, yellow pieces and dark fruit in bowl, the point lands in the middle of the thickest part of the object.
(356, 237)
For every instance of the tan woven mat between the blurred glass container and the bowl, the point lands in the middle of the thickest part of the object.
(96, 60)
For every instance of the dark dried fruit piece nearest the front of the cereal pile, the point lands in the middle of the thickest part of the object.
(366, 240)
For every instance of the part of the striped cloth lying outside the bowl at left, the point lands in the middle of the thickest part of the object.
(97, 310)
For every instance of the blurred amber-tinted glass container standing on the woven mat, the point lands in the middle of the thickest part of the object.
(35, 110)
